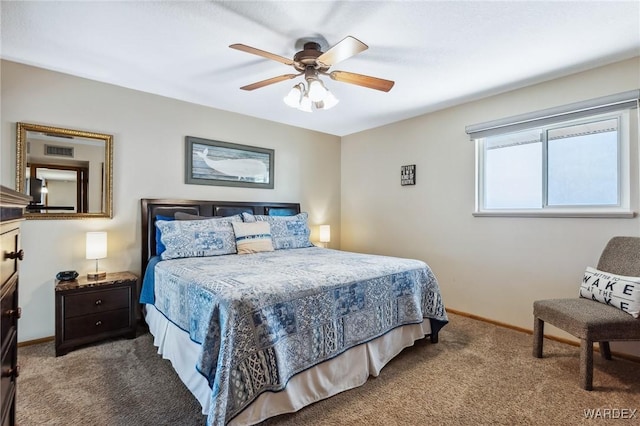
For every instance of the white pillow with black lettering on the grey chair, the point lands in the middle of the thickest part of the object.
(615, 290)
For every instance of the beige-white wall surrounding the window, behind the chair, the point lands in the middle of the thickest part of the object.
(491, 267)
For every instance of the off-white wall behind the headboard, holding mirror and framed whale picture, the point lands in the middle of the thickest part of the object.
(149, 133)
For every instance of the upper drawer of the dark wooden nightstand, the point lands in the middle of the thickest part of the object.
(96, 301)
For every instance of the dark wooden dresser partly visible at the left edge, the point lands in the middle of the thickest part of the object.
(12, 206)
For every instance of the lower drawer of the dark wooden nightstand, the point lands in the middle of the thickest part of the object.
(91, 325)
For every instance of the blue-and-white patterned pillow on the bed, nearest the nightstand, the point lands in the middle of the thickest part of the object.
(198, 238)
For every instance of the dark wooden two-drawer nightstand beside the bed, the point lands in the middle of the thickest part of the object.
(89, 311)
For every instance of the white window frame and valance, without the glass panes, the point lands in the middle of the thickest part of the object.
(598, 109)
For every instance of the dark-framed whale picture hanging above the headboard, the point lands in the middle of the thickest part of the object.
(209, 162)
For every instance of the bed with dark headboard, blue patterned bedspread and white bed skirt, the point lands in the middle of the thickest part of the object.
(256, 335)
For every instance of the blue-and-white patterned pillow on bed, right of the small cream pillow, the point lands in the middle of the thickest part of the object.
(287, 232)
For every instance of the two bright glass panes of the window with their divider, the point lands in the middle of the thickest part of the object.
(567, 165)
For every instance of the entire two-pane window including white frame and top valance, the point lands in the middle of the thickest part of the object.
(574, 163)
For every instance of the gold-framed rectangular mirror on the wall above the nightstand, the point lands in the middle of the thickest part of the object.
(68, 173)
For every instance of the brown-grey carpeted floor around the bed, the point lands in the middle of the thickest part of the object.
(478, 374)
